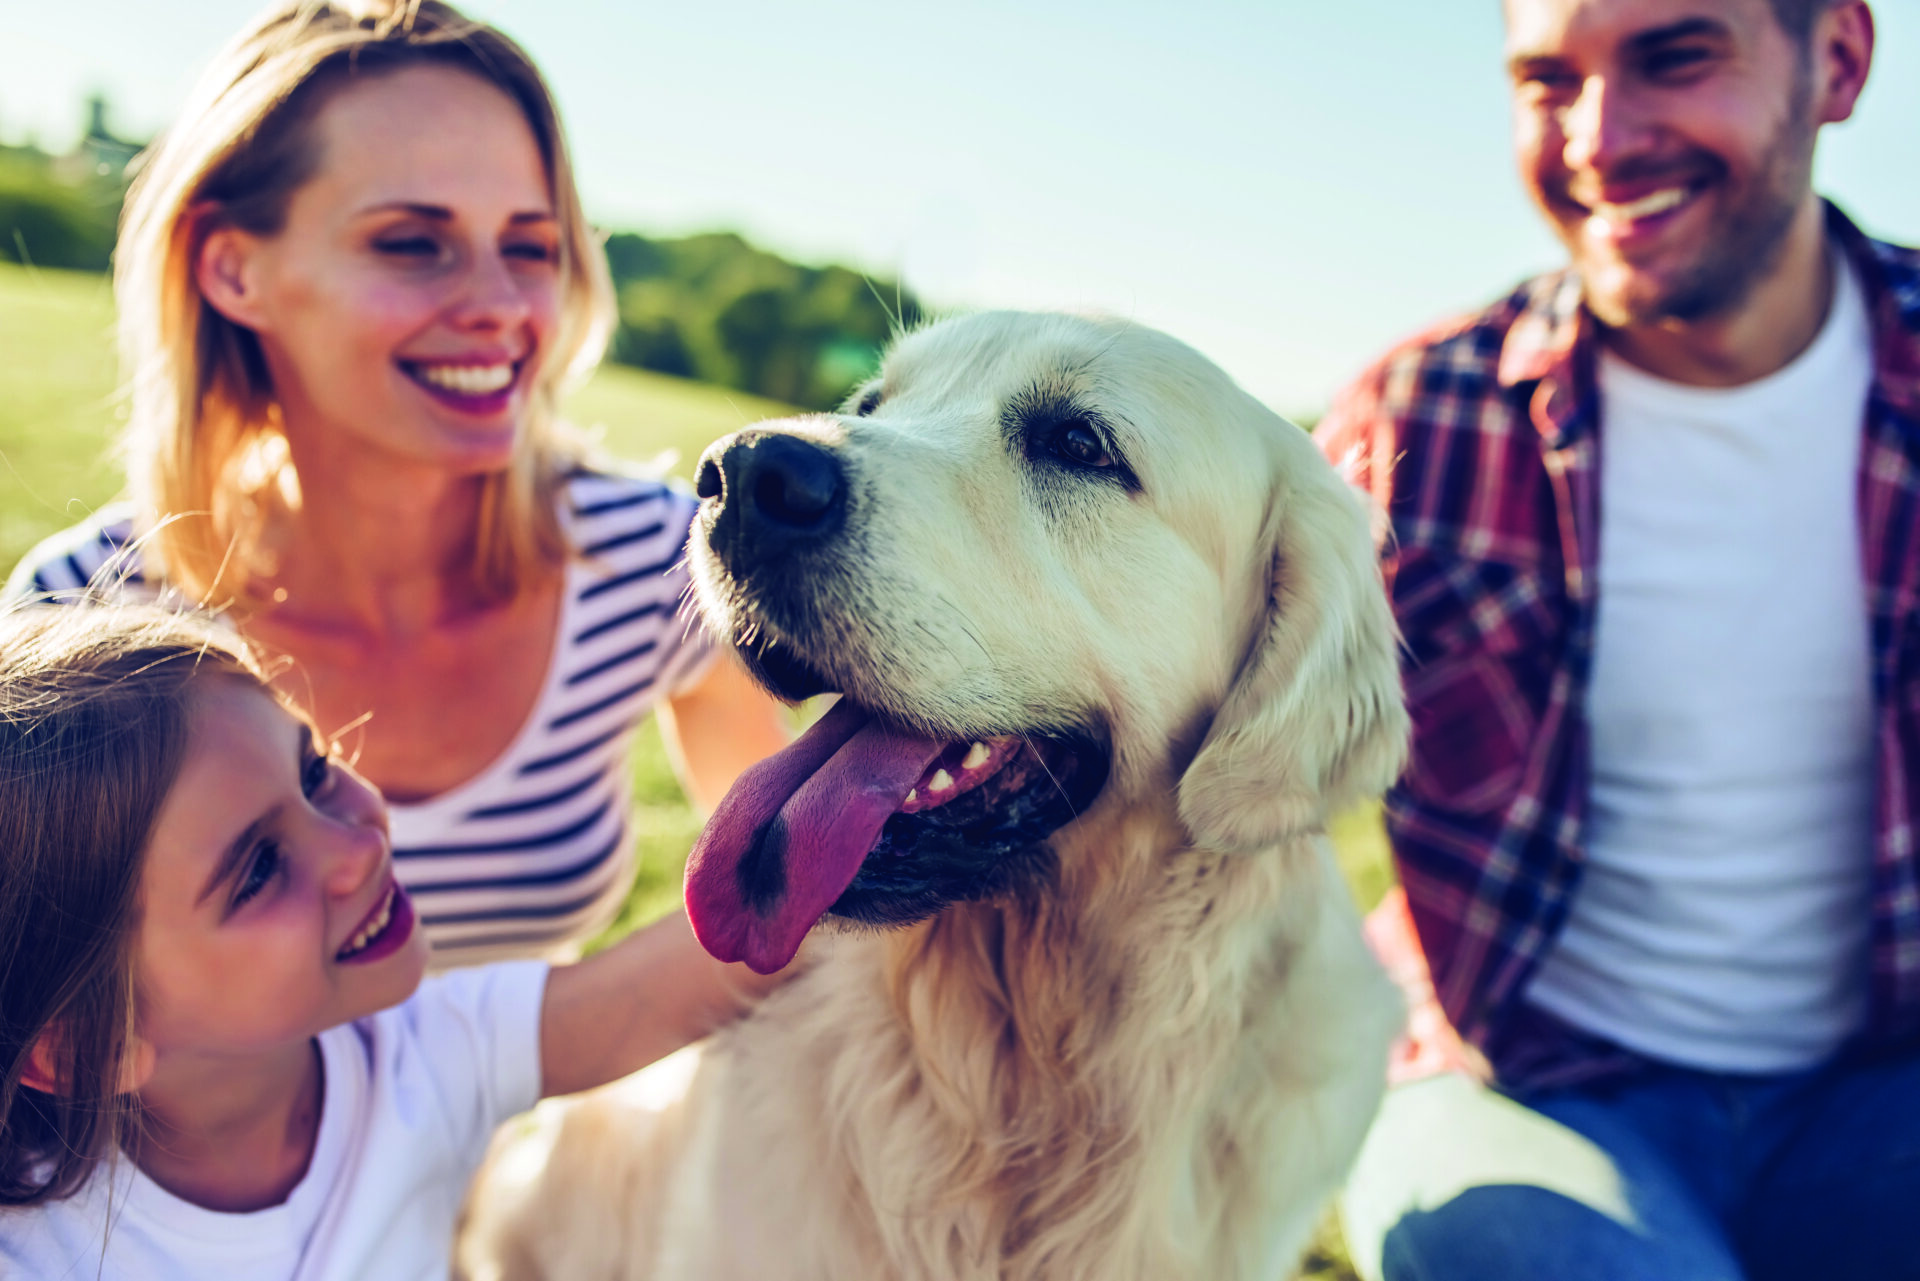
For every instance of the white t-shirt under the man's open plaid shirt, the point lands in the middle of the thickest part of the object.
(1725, 911)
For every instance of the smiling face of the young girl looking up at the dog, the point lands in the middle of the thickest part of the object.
(270, 907)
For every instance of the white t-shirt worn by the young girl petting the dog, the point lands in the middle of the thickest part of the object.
(414, 1098)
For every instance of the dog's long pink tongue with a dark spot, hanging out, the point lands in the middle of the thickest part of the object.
(790, 836)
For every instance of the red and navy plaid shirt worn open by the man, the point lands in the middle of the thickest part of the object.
(1479, 441)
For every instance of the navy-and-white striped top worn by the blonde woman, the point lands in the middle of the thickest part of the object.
(533, 854)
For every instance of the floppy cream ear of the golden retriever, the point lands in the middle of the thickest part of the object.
(1314, 719)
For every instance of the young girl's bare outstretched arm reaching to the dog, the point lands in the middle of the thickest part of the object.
(638, 1002)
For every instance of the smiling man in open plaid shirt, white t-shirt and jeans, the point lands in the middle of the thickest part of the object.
(1658, 564)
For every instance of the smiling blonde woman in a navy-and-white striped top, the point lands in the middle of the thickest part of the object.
(352, 285)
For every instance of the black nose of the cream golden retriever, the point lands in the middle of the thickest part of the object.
(775, 493)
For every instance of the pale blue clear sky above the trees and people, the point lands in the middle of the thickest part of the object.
(1287, 185)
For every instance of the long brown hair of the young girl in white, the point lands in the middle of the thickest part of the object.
(93, 731)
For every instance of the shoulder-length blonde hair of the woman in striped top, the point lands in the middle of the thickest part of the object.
(203, 433)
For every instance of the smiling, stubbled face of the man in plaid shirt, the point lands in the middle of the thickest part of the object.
(1668, 141)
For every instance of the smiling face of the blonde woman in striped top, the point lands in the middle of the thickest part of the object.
(408, 302)
